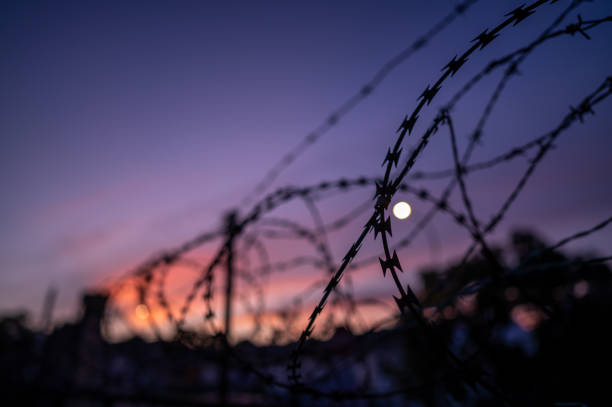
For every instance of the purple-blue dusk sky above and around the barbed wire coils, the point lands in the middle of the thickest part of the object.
(129, 127)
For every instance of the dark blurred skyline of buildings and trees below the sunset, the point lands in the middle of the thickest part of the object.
(539, 335)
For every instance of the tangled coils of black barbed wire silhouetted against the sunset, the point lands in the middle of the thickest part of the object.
(256, 262)
